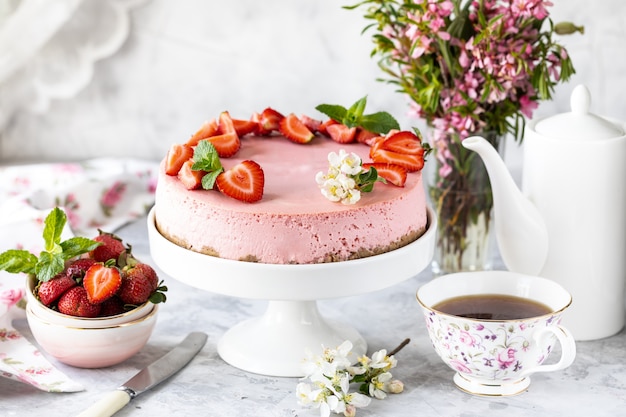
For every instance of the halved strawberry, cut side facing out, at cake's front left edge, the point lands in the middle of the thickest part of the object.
(244, 182)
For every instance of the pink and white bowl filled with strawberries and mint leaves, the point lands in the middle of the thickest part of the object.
(91, 303)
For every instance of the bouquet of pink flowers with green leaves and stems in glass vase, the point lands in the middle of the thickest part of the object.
(468, 67)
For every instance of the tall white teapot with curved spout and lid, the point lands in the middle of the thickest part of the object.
(569, 222)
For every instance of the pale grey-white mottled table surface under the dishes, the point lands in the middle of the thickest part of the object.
(594, 385)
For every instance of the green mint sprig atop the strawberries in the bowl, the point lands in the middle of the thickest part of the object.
(51, 260)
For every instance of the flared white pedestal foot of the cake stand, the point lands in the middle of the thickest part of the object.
(275, 343)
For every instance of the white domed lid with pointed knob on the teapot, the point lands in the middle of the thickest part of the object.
(579, 123)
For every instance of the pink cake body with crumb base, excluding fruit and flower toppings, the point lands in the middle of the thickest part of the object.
(294, 222)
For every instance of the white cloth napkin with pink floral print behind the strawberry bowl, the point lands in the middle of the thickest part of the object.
(96, 194)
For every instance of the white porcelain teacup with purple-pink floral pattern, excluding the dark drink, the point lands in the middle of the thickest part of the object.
(496, 356)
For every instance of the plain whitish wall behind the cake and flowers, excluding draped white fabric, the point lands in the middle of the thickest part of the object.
(187, 60)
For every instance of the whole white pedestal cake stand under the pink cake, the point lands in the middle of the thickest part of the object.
(275, 343)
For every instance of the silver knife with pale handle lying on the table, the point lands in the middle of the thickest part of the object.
(155, 373)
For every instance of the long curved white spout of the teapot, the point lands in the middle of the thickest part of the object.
(521, 233)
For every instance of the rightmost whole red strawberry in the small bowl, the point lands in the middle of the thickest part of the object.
(139, 283)
